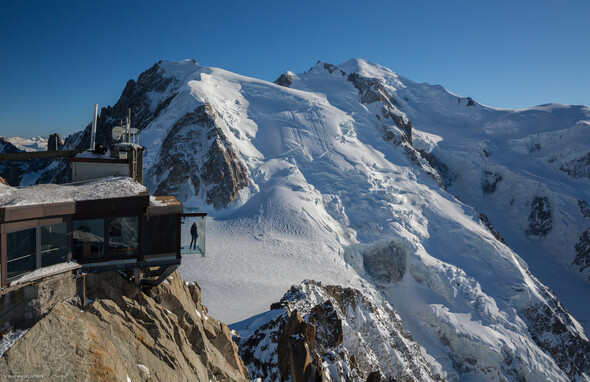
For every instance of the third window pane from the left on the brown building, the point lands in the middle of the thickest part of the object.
(88, 239)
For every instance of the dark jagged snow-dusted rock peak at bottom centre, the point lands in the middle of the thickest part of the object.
(331, 333)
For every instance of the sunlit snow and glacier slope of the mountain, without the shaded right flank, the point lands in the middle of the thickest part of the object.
(336, 192)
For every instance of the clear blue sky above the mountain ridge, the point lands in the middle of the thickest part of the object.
(60, 57)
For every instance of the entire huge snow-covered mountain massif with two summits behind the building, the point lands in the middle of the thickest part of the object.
(429, 204)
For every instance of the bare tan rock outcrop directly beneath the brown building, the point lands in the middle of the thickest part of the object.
(159, 334)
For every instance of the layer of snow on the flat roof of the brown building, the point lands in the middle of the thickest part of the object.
(106, 188)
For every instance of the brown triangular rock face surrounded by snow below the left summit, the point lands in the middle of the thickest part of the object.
(215, 167)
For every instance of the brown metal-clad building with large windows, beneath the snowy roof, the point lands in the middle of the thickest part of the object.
(100, 234)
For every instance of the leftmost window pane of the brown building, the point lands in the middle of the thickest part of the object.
(21, 252)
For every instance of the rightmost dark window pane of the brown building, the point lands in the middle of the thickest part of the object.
(123, 236)
